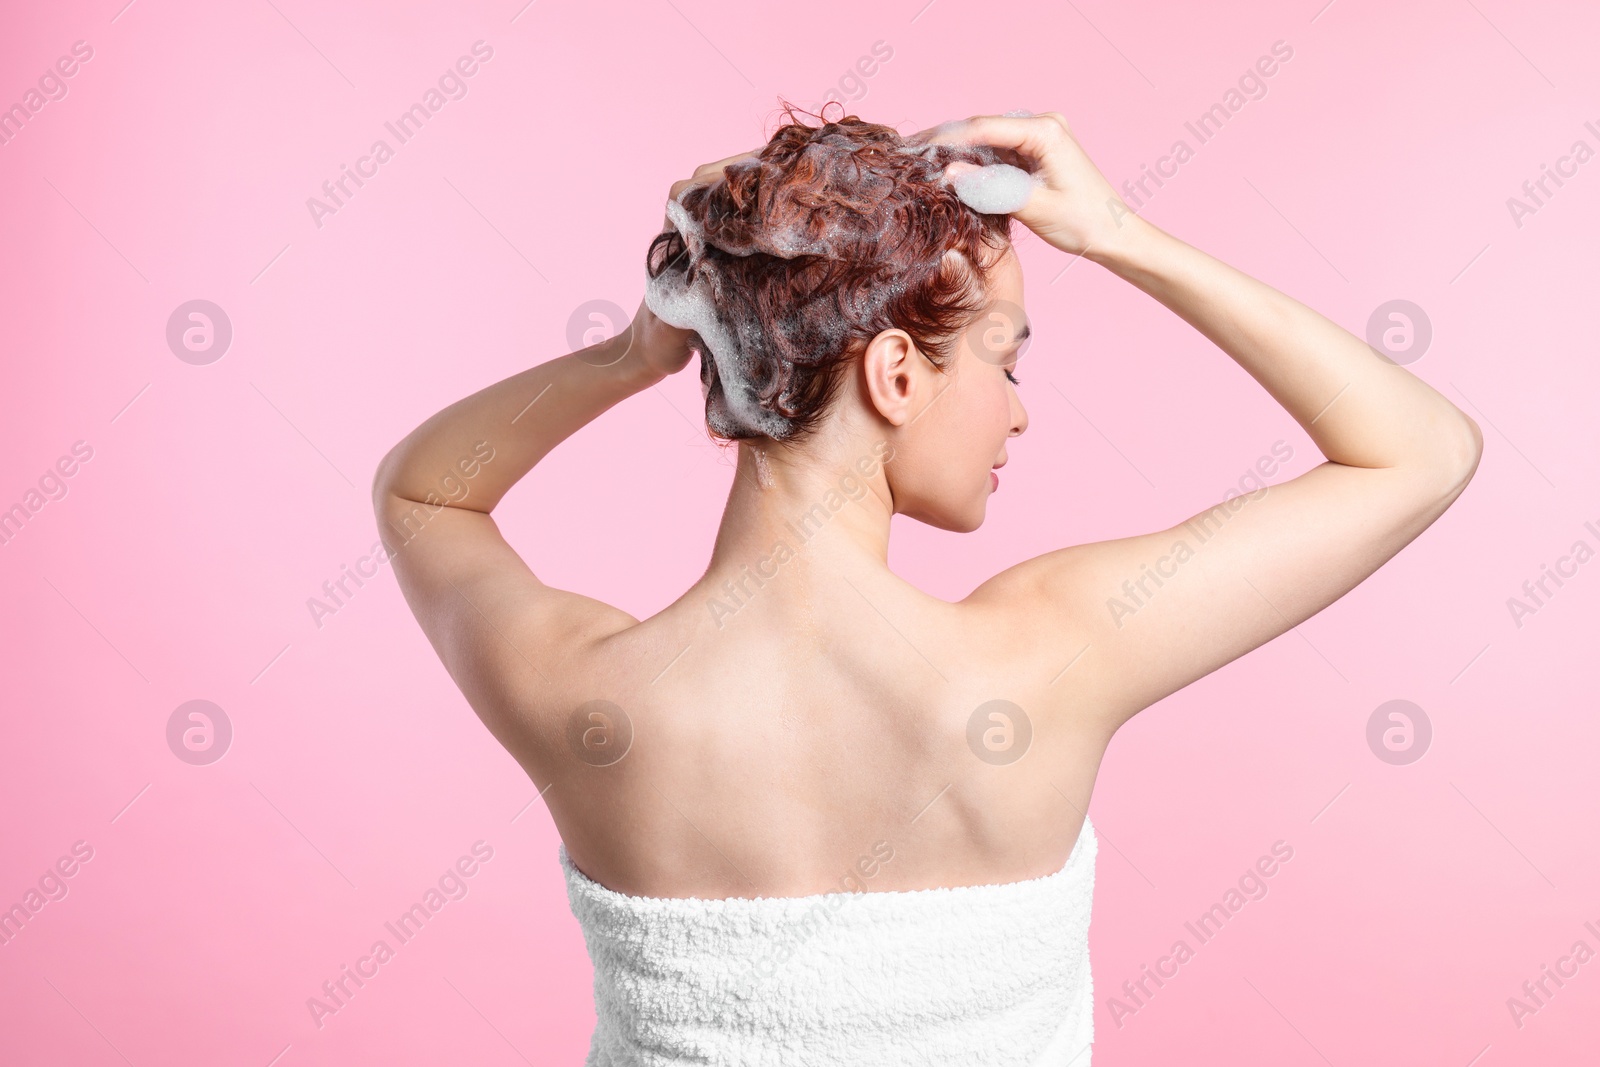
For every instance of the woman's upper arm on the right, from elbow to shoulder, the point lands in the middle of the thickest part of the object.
(1148, 615)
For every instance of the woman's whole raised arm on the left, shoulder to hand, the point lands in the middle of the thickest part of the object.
(498, 629)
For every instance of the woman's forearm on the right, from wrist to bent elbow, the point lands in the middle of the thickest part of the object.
(1359, 409)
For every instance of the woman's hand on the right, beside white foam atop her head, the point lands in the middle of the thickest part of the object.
(1076, 209)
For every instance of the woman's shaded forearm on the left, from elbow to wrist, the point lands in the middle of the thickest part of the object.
(516, 423)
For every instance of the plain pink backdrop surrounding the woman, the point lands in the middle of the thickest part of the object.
(180, 562)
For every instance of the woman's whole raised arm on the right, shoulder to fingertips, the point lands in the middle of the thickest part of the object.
(1158, 612)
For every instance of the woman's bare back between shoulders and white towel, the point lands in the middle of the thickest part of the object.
(844, 732)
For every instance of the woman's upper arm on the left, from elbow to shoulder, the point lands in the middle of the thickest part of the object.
(505, 637)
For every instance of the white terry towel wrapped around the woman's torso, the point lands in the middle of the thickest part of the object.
(951, 977)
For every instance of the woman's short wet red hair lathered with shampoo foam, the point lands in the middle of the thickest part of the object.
(828, 238)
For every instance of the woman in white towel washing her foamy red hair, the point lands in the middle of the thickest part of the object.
(796, 813)
